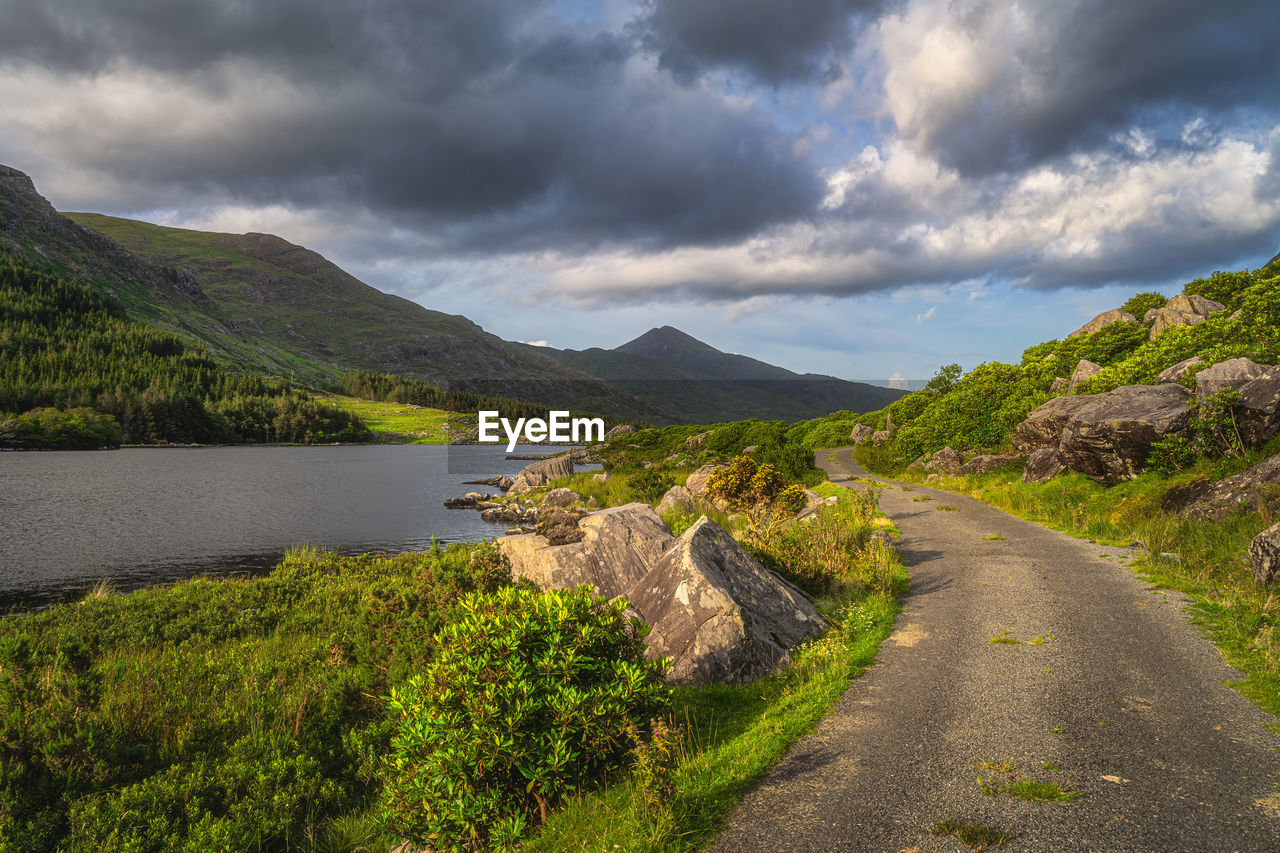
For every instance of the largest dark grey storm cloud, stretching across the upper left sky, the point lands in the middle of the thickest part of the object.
(484, 121)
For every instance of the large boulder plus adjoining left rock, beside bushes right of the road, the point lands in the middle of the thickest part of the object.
(1107, 437)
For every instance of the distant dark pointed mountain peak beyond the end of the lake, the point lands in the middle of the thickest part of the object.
(700, 384)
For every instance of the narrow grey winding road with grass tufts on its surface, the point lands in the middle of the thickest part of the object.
(1126, 700)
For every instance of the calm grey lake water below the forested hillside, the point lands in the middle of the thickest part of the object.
(156, 516)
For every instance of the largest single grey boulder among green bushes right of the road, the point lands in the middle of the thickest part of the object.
(1109, 437)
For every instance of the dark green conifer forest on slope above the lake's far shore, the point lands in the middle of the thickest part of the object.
(67, 348)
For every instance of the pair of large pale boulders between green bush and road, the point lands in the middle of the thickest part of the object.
(712, 608)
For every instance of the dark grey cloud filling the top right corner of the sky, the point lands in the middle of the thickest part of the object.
(1072, 75)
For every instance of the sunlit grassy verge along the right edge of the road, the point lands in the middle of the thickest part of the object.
(1206, 560)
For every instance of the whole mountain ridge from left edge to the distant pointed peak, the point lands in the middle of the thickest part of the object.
(260, 304)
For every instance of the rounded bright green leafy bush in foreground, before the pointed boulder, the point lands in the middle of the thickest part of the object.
(532, 696)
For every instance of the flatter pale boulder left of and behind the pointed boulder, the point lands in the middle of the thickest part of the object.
(619, 548)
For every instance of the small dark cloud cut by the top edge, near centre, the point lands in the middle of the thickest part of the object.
(775, 42)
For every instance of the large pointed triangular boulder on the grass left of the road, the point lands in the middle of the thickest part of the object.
(719, 614)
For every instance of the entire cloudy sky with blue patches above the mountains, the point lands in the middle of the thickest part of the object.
(865, 189)
